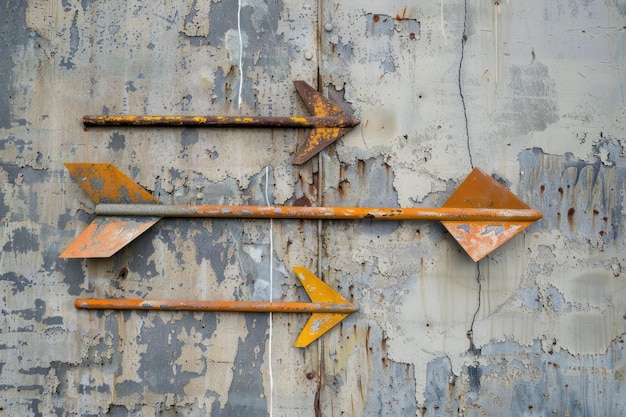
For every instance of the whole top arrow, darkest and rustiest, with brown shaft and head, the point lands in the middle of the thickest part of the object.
(329, 122)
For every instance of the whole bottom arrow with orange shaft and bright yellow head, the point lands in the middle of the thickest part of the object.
(328, 307)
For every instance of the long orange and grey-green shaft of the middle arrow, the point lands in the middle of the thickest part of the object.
(330, 213)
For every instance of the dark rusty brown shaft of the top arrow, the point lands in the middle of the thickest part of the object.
(219, 121)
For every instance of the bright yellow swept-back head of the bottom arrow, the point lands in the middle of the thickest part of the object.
(319, 323)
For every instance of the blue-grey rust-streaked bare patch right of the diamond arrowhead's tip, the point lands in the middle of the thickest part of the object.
(582, 199)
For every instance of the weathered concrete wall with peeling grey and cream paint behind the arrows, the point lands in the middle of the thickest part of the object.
(532, 92)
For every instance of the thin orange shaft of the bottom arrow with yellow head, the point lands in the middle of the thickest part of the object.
(214, 306)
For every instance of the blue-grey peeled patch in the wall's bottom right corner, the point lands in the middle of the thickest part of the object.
(567, 384)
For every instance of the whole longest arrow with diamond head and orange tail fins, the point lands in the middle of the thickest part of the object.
(481, 214)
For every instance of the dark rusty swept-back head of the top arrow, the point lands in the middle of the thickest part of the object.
(320, 137)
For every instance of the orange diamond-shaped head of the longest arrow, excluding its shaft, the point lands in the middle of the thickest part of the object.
(479, 190)
